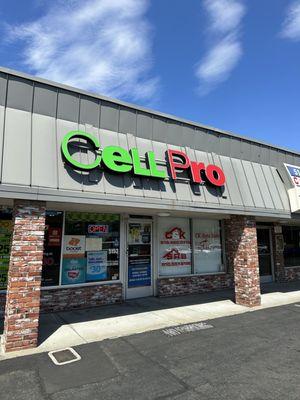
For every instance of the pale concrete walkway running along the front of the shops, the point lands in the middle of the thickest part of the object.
(66, 329)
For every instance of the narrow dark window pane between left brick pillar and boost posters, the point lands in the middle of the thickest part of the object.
(52, 248)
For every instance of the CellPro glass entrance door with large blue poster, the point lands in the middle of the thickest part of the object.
(139, 259)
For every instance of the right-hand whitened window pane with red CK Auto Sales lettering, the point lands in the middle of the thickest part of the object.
(207, 246)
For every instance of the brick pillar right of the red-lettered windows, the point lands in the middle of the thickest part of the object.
(242, 259)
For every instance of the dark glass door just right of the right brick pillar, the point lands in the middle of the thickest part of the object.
(265, 254)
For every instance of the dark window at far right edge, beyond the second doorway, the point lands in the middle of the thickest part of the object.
(291, 237)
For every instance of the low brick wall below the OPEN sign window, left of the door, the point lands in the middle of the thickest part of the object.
(82, 297)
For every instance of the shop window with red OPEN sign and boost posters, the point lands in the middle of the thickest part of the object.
(90, 248)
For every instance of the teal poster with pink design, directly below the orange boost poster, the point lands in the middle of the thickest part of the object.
(73, 271)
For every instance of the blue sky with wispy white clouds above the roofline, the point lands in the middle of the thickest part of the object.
(232, 64)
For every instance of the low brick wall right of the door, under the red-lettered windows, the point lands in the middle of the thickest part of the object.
(184, 285)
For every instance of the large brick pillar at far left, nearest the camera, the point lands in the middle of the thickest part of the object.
(24, 276)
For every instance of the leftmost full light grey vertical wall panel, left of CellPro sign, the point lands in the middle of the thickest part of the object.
(17, 147)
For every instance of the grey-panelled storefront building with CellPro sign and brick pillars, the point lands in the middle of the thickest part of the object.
(102, 201)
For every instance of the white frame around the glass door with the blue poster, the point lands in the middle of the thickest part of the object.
(126, 289)
